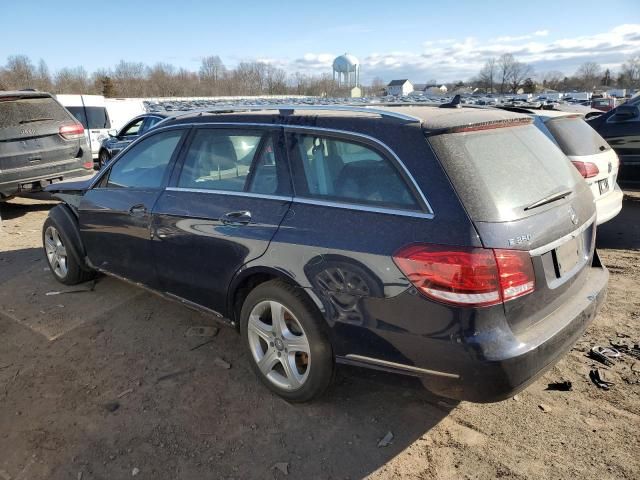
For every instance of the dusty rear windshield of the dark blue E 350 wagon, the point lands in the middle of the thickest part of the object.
(499, 172)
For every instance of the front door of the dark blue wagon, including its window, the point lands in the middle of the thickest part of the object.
(115, 215)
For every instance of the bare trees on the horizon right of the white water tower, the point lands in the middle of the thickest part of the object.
(505, 74)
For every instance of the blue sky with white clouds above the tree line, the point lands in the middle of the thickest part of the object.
(420, 40)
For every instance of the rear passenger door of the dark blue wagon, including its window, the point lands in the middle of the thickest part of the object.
(222, 210)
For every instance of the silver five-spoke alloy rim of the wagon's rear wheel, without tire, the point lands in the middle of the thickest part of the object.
(279, 345)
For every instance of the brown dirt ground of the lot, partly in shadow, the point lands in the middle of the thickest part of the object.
(107, 383)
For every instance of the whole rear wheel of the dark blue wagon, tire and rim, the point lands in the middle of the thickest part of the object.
(288, 347)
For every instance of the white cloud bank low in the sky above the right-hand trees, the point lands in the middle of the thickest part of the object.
(453, 59)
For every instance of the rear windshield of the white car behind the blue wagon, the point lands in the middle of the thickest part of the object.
(576, 137)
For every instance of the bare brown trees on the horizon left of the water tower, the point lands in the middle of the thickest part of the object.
(135, 79)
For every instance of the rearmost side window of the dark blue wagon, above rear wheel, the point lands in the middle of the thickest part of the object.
(341, 170)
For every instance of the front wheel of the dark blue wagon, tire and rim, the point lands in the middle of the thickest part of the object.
(61, 256)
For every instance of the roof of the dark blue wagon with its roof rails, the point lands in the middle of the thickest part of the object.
(430, 117)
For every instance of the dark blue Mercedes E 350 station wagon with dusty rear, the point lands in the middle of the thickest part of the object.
(456, 245)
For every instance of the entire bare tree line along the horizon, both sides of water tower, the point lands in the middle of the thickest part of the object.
(504, 74)
